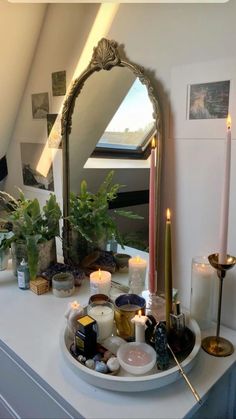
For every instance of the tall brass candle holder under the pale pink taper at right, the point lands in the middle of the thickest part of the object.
(216, 345)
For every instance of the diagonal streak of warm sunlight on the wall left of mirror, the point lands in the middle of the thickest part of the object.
(100, 28)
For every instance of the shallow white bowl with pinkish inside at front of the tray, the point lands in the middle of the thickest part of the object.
(136, 358)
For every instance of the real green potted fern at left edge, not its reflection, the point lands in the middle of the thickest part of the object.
(34, 230)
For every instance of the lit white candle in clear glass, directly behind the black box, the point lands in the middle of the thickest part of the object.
(104, 316)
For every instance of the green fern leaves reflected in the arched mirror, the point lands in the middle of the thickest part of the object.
(90, 215)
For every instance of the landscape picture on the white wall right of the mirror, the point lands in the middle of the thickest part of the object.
(209, 100)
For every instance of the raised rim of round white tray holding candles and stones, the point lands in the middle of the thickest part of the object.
(127, 382)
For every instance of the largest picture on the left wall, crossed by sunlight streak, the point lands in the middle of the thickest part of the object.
(30, 157)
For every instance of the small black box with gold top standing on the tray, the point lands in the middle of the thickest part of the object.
(86, 337)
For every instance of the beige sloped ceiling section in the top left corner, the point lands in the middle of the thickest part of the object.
(20, 26)
